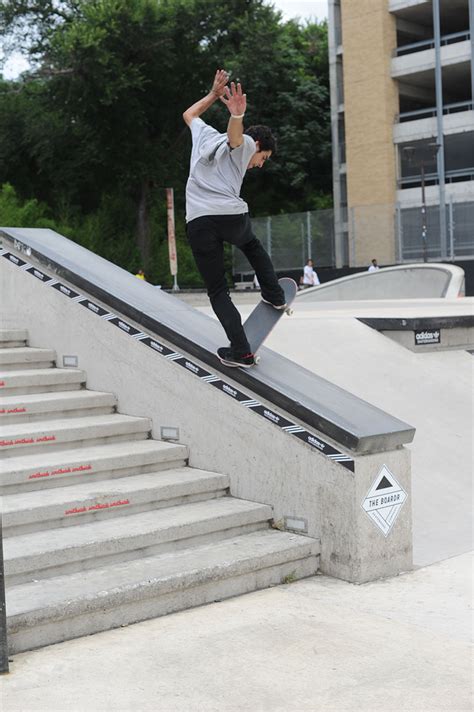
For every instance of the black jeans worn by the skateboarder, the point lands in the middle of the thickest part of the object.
(206, 236)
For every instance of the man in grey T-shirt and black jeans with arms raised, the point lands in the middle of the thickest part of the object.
(215, 212)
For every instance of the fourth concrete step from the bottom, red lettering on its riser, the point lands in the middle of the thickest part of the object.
(69, 467)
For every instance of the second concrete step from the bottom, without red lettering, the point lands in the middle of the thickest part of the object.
(59, 551)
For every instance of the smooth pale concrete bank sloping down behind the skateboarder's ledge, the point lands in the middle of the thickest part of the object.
(434, 391)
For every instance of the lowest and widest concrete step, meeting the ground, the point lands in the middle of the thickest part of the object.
(69, 606)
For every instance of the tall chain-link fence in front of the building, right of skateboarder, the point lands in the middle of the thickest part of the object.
(293, 238)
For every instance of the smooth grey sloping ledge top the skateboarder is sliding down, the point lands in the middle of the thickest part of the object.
(348, 420)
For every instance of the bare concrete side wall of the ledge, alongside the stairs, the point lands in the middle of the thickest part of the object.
(264, 463)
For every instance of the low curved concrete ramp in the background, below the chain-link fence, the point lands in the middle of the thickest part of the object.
(402, 282)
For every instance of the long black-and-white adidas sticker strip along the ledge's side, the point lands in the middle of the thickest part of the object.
(205, 376)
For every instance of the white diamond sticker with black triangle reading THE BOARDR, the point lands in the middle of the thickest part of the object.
(384, 500)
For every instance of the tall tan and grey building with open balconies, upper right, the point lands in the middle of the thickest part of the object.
(403, 129)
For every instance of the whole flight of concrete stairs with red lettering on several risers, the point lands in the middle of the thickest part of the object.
(104, 526)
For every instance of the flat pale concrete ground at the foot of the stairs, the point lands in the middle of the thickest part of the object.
(401, 644)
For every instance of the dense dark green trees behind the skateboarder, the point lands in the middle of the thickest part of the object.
(98, 119)
